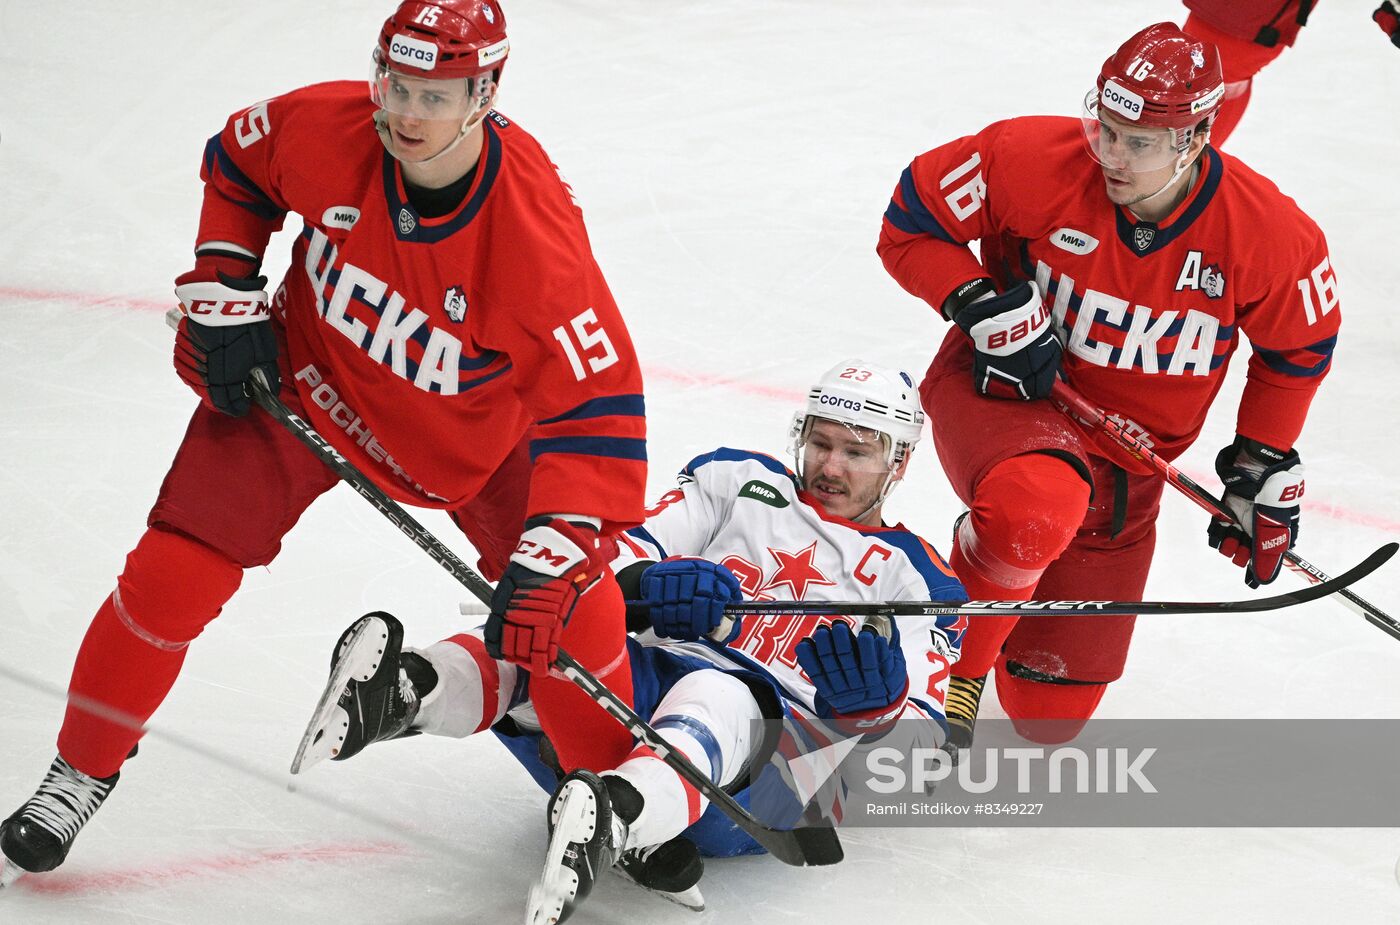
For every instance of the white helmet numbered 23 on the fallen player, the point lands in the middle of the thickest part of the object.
(867, 397)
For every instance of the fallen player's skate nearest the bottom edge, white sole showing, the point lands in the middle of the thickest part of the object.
(589, 819)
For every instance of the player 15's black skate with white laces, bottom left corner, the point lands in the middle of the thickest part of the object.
(38, 836)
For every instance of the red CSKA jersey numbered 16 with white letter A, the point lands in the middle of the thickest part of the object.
(1150, 314)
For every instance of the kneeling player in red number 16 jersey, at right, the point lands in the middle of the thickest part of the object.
(1128, 255)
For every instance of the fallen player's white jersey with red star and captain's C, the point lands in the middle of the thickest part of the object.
(747, 513)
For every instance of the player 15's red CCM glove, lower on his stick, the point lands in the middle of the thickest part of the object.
(555, 562)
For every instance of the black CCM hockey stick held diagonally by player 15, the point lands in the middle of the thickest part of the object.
(799, 847)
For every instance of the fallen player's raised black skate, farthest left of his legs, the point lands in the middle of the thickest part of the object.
(373, 693)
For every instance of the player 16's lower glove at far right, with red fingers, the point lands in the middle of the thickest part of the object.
(1263, 490)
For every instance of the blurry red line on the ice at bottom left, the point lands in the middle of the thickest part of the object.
(162, 875)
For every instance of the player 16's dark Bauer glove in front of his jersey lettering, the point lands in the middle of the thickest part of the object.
(1018, 355)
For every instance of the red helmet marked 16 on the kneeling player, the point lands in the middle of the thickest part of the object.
(1163, 78)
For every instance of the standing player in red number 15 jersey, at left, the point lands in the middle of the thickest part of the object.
(444, 325)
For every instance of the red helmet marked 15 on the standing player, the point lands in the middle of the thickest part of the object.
(444, 40)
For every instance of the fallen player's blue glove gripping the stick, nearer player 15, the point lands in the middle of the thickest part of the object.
(687, 600)
